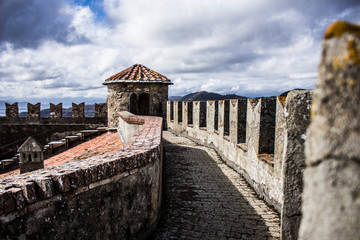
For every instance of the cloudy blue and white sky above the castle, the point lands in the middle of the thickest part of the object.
(63, 50)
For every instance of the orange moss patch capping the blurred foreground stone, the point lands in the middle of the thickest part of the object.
(337, 29)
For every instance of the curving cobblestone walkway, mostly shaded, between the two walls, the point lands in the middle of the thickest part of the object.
(205, 199)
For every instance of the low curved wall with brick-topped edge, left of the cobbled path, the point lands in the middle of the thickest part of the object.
(114, 196)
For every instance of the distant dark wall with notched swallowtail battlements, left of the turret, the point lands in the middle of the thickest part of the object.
(14, 130)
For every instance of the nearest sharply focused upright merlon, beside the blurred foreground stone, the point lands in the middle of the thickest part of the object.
(297, 117)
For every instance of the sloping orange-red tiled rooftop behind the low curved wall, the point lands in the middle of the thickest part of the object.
(103, 144)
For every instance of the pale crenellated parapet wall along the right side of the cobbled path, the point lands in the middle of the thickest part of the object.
(264, 143)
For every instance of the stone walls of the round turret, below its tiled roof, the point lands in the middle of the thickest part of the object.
(118, 98)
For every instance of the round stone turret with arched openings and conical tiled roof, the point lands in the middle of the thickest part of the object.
(138, 90)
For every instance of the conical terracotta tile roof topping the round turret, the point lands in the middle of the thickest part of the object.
(138, 73)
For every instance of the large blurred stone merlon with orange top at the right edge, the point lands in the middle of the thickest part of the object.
(331, 199)
